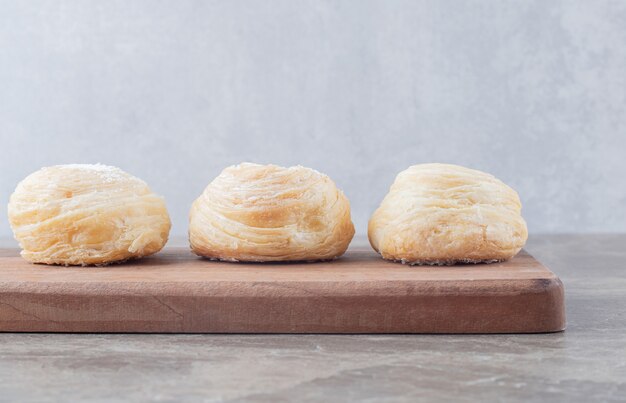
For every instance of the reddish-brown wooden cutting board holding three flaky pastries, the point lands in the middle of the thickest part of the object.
(175, 291)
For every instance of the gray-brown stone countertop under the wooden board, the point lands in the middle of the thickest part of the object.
(587, 362)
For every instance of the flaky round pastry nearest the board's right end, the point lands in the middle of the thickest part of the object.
(446, 214)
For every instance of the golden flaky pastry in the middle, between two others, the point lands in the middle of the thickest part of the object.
(264, 213)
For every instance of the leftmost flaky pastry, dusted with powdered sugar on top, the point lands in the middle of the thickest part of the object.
(86, 215)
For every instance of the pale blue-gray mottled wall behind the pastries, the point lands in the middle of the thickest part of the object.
(173, 91)
